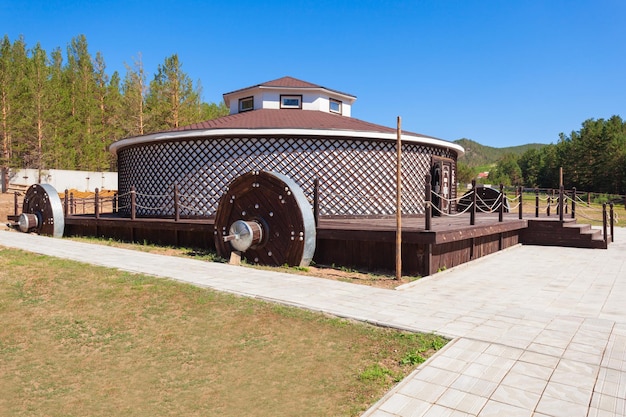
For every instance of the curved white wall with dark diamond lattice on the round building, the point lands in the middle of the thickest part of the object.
(357, 176)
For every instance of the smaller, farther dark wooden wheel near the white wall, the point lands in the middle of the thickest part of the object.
(42, 211)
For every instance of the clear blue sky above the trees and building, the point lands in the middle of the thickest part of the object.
(500, 72)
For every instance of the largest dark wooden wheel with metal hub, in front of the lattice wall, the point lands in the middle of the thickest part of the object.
(266, 217)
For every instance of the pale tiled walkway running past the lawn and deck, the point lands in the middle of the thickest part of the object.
(538, 331)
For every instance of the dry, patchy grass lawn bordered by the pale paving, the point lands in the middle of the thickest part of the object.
(78, 340)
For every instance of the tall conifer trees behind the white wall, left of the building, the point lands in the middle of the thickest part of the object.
(61, 109)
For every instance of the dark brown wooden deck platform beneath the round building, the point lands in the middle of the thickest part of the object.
(367, 244)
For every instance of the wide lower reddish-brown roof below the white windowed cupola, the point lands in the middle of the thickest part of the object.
(291, 119)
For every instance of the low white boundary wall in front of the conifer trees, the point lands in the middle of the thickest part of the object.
(64, 180)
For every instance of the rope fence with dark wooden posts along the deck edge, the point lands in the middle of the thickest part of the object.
(547, 202)
